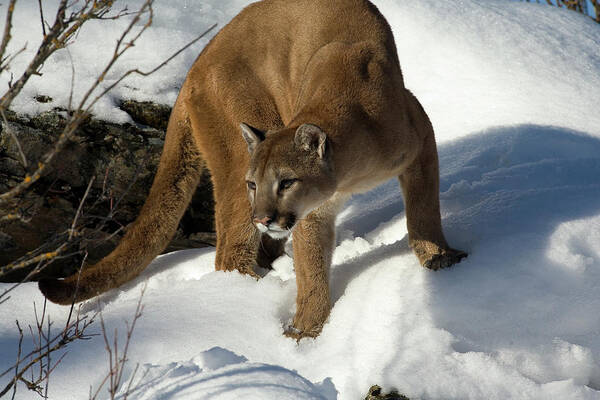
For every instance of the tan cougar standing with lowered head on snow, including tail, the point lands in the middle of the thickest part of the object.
(317, 87)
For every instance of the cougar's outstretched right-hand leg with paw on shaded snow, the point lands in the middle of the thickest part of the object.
(420, 185)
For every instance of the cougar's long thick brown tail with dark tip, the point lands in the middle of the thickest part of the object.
(177, 177)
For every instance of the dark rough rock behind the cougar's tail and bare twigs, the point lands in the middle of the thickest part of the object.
(122, 159)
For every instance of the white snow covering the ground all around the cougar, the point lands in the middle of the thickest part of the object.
(512, 89)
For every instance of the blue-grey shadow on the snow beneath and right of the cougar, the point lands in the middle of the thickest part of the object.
(504, 192)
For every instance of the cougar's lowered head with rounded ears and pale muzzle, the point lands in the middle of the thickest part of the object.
(290, 174)
